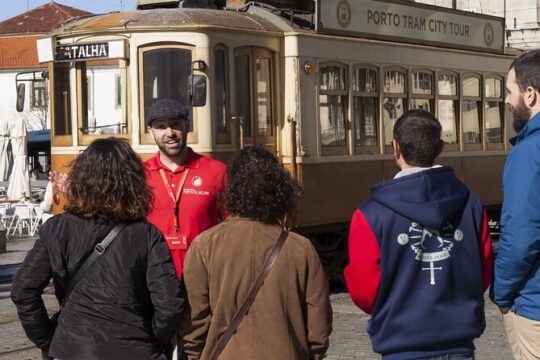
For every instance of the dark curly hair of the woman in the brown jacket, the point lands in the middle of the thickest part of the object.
(259, 188)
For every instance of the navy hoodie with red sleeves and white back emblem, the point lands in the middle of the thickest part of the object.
(420, 259)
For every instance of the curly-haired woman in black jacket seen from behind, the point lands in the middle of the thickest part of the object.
(128, 303)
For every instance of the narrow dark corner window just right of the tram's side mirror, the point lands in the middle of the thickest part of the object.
(222, 107)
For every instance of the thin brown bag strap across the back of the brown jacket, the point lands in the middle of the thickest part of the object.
(254, 290)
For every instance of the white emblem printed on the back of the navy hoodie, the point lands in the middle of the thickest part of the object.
(430, 246)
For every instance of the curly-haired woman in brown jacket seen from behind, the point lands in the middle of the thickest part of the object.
(291, 317)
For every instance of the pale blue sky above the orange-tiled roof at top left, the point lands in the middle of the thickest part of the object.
(11, 8)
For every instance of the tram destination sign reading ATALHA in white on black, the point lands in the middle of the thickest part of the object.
(86, 51)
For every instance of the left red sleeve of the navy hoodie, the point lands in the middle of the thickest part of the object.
(363, 274)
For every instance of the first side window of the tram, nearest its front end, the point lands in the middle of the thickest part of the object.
(333, 107)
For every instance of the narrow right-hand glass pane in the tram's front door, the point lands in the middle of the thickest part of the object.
(264, 108)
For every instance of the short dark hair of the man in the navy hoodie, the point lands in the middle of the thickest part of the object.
(418, 134)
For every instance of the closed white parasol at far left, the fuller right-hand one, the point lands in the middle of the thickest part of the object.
(19, 180)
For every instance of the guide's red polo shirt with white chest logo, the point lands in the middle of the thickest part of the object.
(198, 207)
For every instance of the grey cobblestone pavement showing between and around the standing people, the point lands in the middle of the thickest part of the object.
(348, 341)
